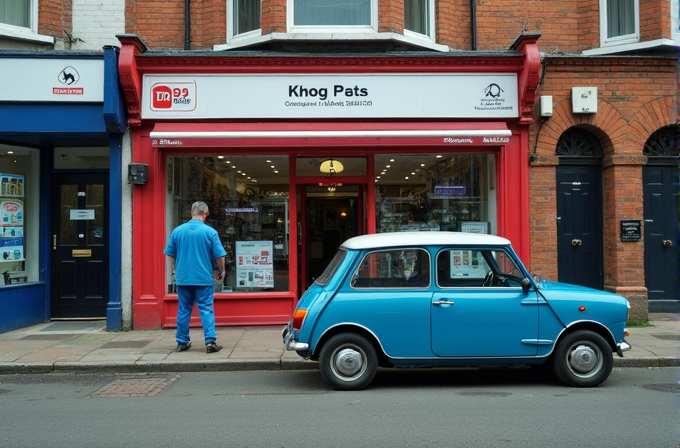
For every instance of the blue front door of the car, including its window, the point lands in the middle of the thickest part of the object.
(474, 318)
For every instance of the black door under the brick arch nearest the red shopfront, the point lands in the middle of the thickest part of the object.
(579, 225)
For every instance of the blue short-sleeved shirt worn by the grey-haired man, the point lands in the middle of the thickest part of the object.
(194, 245)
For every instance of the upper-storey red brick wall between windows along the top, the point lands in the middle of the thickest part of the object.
(568, 25)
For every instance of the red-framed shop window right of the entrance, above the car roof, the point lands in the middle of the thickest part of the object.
(435, 192)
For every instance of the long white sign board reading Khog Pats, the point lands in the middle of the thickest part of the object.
(423, 95)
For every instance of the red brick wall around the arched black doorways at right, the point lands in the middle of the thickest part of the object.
(636, 97)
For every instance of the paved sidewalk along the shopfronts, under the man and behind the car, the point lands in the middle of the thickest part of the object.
(86, 346)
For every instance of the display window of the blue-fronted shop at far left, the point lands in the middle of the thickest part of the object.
(19, 215)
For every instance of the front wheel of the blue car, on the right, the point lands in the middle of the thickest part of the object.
(583, 359)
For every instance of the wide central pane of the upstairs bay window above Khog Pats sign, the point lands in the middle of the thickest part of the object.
(324, 15)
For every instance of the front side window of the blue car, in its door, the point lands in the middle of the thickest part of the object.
(466, 268)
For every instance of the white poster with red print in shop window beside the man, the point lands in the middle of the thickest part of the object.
(254, 264)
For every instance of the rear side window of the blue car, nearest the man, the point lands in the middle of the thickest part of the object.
(396, 268)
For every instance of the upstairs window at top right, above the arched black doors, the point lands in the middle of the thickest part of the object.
(619, 22)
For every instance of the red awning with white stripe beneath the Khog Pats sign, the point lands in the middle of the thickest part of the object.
(217, 135)
